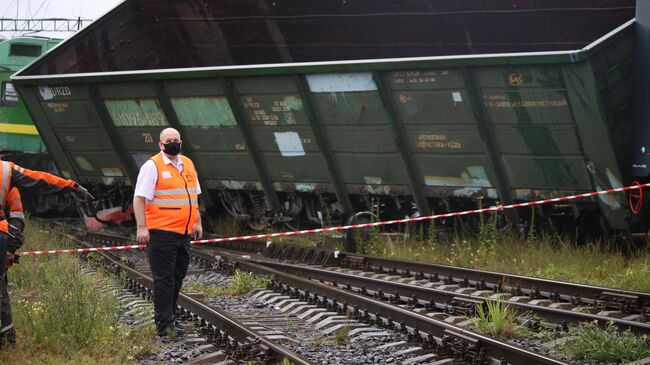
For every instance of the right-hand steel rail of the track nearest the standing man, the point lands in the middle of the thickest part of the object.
(495, 349)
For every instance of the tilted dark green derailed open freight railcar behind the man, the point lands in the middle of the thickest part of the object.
(303, 112)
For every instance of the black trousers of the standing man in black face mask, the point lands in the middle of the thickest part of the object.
(169, 257)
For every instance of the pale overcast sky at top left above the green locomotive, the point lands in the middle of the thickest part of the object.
(35, 9)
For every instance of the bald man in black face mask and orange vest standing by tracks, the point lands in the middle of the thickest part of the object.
(166, 210)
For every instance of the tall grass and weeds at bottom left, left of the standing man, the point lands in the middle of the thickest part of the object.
(61, 313)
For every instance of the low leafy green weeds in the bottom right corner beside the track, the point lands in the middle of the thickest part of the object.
(608, 345)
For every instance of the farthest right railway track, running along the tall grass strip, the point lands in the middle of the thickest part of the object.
(457, 289)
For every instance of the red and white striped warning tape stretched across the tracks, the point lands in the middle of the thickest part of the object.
(354, 226)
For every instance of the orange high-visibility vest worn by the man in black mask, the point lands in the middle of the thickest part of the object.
(175, 205)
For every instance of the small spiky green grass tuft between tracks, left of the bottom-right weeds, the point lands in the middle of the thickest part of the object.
(498, 320)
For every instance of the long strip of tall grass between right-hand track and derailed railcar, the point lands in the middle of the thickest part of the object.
(550, 257)
